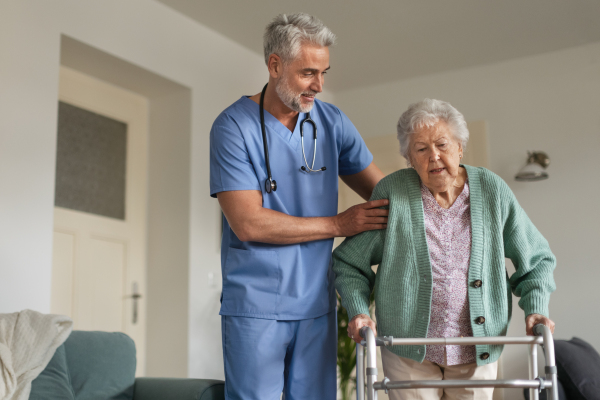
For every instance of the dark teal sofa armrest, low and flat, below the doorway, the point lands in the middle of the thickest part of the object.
(178, 389)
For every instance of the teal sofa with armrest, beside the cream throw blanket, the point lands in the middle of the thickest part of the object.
(101, 366)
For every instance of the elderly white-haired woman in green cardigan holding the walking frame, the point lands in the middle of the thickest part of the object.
(442, 259)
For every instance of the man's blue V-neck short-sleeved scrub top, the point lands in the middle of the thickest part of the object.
(284, 282)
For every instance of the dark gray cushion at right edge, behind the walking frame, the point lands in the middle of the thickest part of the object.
(578, 365)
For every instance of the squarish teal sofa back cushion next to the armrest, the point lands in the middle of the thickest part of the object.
(101, 365)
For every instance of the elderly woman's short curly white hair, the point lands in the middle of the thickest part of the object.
(426, 114)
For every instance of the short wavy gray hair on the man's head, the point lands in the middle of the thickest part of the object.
(288, 32)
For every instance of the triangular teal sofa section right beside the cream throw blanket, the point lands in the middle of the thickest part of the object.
(54, 382)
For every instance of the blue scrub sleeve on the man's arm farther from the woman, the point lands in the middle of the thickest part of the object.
(230, 164)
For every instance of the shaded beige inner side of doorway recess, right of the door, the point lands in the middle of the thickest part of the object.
(167, 306)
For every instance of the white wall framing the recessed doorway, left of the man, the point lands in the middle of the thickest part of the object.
(147, 34)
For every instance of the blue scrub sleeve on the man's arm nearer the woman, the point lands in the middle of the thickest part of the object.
(354, 154)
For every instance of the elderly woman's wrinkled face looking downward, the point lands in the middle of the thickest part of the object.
(435, 154)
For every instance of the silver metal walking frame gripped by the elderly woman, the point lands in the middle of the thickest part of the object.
(535, 383)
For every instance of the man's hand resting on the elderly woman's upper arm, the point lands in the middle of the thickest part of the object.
(362, 217)
